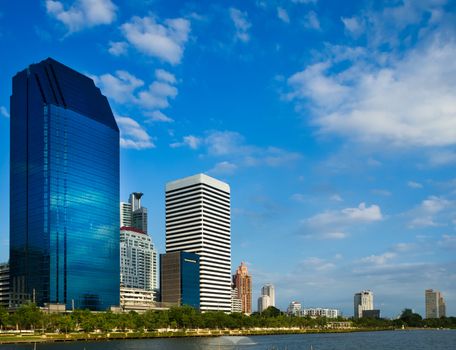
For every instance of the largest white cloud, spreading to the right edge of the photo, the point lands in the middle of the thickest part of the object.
(404, 98)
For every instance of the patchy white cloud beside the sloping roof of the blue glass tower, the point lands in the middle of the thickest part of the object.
(124, 87)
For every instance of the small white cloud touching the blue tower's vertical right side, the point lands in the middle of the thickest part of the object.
(133, 135)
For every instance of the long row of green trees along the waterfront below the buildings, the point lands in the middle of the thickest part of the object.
(30, 317)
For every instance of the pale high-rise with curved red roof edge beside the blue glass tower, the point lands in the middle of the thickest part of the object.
(138, 260)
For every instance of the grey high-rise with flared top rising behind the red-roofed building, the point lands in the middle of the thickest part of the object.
(133, 214)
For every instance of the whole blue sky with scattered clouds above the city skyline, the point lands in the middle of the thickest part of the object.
(334, 122)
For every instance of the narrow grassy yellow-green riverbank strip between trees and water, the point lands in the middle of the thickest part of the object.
(168, 333)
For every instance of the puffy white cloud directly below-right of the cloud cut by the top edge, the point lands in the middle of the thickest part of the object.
(165, 41)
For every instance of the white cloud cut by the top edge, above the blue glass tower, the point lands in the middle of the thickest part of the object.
(83, 13)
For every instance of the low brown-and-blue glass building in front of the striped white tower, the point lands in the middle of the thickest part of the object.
(180, 278)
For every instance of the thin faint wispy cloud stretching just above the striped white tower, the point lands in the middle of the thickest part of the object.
(232, 145)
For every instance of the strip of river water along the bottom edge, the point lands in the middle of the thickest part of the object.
(392, 340)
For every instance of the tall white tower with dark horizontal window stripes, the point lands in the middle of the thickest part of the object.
(198, 220)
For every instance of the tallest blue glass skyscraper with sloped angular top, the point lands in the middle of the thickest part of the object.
(64, 190)
